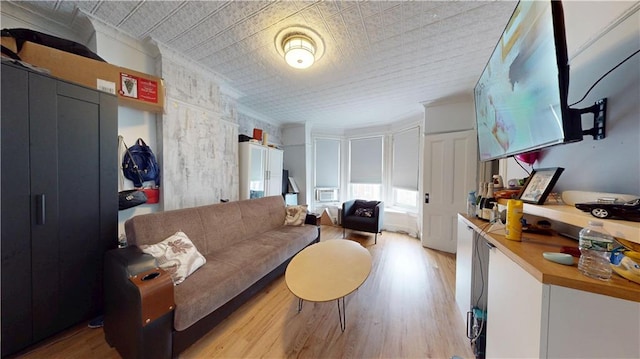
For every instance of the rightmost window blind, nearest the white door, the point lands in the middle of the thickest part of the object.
(406, 157)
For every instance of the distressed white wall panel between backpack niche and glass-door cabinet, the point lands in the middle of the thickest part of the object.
(199, 137)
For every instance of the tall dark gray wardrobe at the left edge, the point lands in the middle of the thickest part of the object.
(59, 203)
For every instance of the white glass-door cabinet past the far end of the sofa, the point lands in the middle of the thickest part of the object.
(260, 170)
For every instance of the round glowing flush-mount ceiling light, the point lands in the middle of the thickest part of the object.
(300, 46)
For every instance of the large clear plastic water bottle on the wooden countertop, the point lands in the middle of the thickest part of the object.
(595, 249)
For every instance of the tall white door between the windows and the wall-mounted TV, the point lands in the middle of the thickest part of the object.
(450, 162)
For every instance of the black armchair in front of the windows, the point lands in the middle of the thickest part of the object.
(365, 216)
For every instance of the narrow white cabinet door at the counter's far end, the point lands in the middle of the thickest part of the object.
(464, 256)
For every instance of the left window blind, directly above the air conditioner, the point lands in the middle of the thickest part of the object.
(327, 166)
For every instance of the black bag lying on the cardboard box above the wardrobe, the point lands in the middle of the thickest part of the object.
(22, 35)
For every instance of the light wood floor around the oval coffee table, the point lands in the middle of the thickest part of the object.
(405, 309)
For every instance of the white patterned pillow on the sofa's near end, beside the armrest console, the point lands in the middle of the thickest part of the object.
(177, 255)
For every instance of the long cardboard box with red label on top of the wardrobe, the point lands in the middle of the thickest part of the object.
(134, 89)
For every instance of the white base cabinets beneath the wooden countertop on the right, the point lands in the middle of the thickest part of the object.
(530, 319)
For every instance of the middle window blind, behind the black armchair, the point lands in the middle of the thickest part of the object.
(366, 160)
